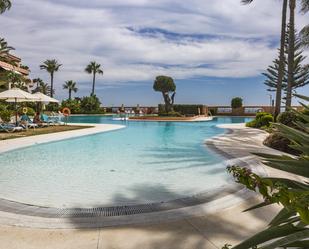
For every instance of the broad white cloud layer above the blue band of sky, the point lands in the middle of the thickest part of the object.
(75, 33)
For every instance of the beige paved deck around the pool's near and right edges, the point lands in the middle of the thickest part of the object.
(208, 231)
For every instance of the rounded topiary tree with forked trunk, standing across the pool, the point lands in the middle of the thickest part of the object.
(166, 86)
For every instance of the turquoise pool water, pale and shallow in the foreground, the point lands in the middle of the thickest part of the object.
(144, 162)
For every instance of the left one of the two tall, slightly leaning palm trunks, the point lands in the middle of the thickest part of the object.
(281, 60)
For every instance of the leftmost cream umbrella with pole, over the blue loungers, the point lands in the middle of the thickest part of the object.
(15, 95)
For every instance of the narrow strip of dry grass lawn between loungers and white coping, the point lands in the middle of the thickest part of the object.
(40, 131)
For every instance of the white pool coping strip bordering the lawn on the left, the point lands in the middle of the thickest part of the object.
(18, 143)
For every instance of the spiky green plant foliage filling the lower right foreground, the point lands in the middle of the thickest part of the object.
(290, 227)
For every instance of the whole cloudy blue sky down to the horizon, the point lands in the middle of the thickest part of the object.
(214, 50)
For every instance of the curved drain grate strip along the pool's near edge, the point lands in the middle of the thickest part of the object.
(49, 212)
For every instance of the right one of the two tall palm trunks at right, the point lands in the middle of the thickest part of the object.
(291, 55)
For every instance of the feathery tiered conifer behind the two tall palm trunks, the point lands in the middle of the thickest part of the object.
(300, 71)
